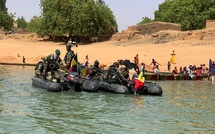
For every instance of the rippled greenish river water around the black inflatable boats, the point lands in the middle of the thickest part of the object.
(184, 107)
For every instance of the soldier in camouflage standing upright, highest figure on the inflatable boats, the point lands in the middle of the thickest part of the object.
(68, 57)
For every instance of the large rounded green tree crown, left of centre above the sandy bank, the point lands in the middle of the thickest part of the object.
(82, 18)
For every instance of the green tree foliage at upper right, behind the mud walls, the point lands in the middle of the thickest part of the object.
(191, 14)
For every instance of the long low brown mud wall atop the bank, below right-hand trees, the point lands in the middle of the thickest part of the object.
(154, 27)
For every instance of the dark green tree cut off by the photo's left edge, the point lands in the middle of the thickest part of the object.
(6, 20)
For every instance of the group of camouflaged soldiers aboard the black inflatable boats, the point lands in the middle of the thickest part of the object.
(117, 73)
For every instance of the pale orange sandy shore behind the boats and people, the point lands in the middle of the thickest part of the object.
(187, 52)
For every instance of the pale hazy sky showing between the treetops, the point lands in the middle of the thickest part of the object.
(126, 12)
